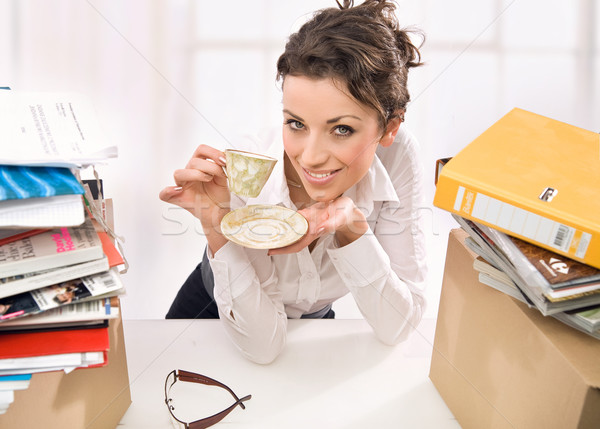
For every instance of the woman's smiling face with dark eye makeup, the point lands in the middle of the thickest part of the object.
(328, 136)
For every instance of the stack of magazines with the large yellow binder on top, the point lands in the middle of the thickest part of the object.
(526, 191)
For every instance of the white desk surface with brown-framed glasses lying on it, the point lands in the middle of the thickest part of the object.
(332, 374)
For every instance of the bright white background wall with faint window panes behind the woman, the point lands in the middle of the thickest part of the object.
(167, 75)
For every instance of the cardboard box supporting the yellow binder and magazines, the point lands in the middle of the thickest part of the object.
(499, 364)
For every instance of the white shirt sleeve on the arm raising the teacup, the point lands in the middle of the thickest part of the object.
(249, 302)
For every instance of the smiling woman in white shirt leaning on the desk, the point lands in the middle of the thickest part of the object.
(347, 166)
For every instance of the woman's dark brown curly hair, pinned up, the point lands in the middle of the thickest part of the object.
(362, 46)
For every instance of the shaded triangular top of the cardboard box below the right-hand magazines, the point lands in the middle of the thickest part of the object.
(582, 350)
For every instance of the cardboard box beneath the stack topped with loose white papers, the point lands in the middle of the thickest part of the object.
(94, 398)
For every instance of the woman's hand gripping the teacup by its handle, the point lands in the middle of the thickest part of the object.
(201, 187)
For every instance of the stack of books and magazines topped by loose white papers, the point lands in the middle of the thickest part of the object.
(59, 279)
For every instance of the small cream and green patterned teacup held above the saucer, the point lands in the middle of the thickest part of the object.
(247, 172)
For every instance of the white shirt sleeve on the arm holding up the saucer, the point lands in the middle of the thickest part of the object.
(385, 269)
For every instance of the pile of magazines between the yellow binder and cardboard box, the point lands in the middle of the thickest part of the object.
(557, 286)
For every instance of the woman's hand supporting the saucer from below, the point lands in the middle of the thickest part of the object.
(340, 216)
